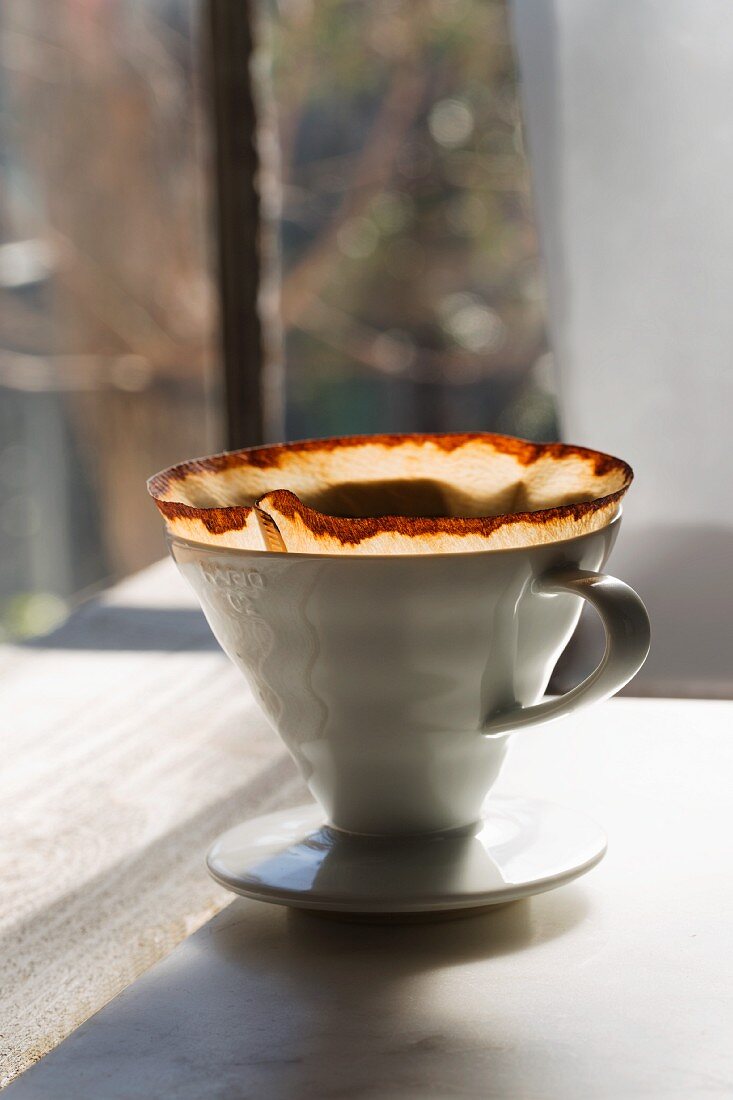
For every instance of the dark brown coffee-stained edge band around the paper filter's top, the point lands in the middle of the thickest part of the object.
(222, 520)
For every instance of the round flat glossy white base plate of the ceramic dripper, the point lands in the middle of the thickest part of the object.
(521, 848)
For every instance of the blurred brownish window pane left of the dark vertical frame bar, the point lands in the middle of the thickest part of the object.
(107, 338)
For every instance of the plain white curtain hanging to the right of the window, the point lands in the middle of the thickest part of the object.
(629, 109)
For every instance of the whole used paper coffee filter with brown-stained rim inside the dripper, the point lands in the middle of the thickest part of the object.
(392, 494)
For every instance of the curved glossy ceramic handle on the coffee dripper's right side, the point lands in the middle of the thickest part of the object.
(628, 634)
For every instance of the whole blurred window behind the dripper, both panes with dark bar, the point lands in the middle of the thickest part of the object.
(400, 282)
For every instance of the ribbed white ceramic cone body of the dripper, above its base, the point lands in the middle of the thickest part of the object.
(389, 678)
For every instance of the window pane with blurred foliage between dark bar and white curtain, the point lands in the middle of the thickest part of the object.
(412, 296)
